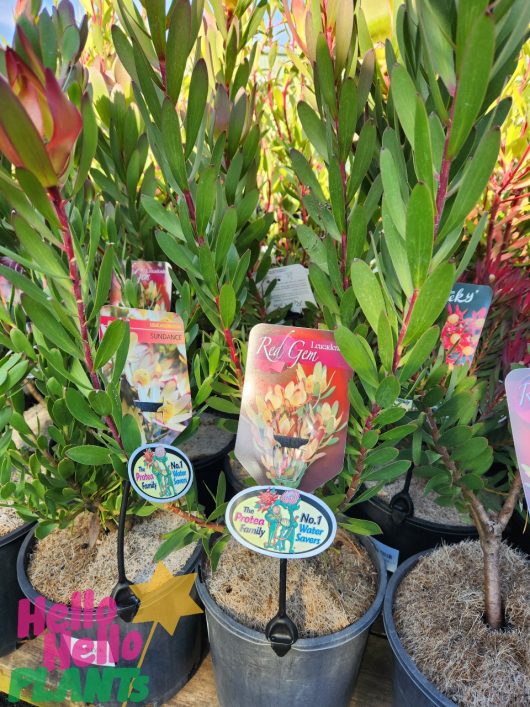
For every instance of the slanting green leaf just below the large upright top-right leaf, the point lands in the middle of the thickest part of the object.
(474, 180)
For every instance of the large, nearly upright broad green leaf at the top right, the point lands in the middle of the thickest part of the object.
(473, 80)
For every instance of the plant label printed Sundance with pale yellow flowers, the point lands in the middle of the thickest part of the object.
(155, 380)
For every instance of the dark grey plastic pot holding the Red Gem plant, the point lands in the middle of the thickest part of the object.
(316, 672)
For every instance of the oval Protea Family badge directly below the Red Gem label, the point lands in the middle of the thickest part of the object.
(281, 522)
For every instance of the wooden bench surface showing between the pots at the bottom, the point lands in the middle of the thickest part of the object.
(373, 689)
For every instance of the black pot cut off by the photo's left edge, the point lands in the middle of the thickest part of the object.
(10, 592)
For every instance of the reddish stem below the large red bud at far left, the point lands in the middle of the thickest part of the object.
(59, 206)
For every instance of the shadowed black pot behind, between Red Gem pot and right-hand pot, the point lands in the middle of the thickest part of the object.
(410, 535)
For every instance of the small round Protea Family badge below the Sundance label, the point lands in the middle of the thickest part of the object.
(160, 473)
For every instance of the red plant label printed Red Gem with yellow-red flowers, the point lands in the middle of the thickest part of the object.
(294, 407)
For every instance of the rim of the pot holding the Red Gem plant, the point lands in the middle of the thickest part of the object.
(305, 644)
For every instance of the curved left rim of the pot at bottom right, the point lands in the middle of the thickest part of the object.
(400, 653)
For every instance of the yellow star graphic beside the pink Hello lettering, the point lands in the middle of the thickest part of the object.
(165, 598)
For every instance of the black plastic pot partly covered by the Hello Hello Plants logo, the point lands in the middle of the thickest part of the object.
(170, 661)
